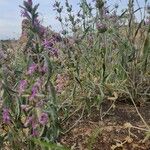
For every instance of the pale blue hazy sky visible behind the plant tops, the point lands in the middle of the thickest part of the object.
(10, 19)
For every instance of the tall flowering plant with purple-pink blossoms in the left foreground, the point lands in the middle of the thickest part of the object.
(31, 109)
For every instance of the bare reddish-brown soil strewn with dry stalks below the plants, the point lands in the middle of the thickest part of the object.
(92, 133)
